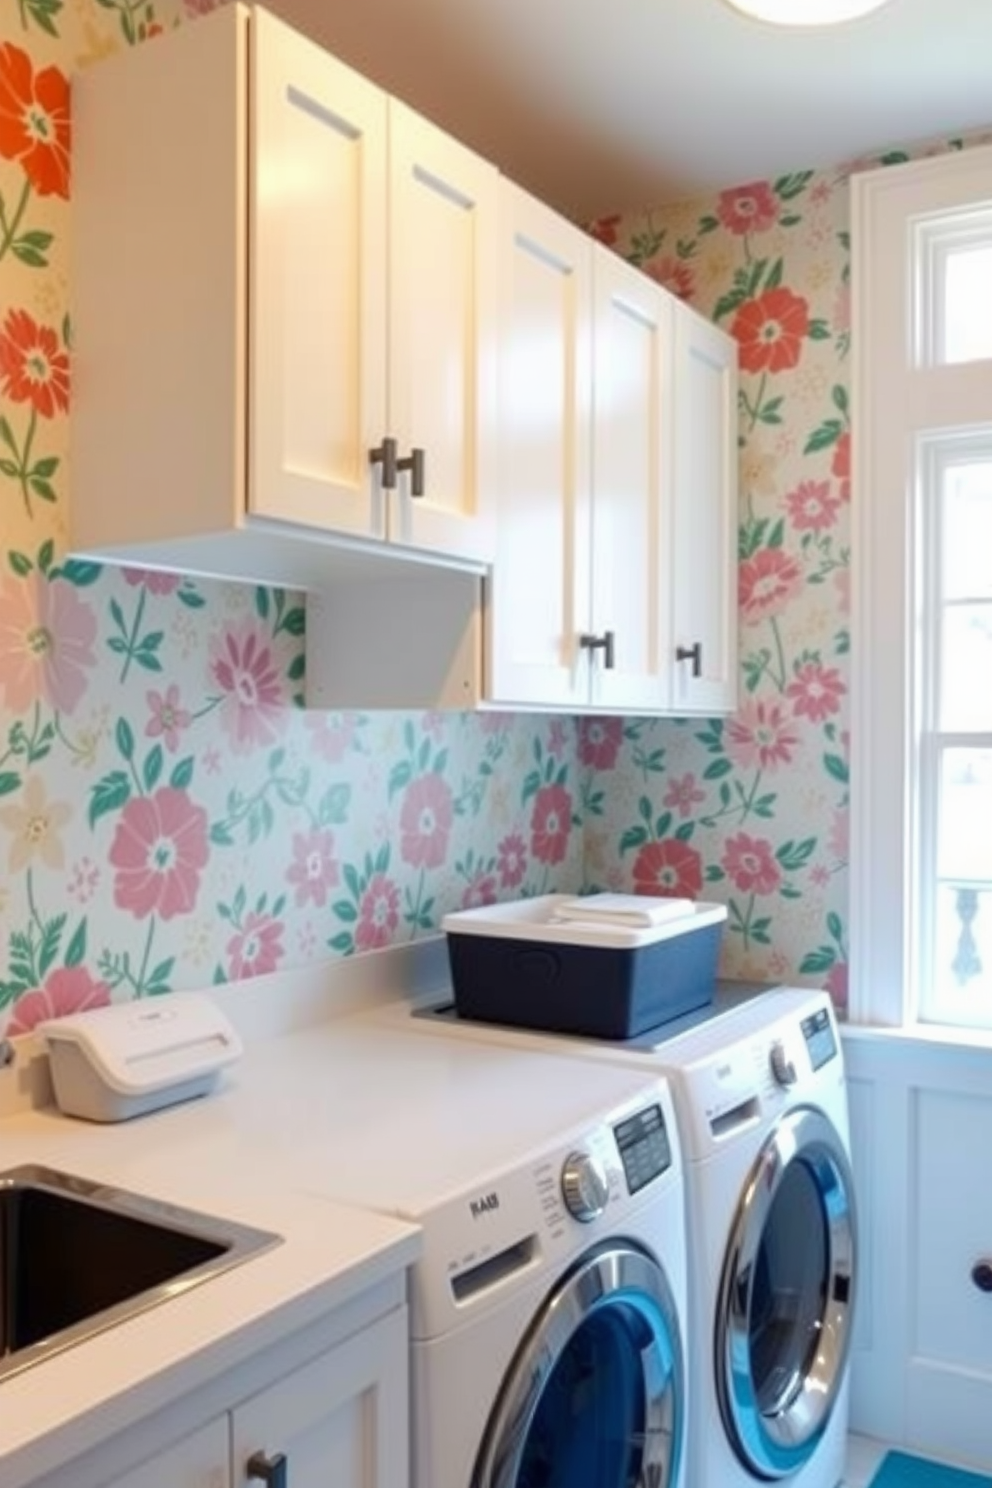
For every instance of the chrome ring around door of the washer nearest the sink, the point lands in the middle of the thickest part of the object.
(616, 1271)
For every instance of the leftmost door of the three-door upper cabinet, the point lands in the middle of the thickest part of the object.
(539, 593)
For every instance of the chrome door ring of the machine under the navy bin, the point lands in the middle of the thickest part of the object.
(776, 1444)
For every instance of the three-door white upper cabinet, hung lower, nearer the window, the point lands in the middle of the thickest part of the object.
(618, 484)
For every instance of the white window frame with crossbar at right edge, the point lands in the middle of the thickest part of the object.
(901, 400)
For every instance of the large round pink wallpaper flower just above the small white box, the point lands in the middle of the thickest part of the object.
(158, 850)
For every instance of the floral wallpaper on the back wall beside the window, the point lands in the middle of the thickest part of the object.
(753, 810)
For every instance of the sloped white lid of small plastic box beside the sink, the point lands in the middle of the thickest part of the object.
(144, 1047)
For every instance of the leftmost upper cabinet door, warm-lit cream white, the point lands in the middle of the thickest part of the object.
(318, 286)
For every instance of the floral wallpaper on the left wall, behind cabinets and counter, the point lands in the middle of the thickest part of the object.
(170, 815)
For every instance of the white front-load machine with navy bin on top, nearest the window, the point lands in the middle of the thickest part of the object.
(762, 1108)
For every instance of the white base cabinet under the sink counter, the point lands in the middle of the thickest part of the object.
(340, 1419)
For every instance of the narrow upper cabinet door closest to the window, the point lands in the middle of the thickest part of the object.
(706, 517)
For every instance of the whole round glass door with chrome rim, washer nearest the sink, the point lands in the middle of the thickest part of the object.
(596, 1394)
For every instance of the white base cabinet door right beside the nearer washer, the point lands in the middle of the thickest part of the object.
(341, 1420)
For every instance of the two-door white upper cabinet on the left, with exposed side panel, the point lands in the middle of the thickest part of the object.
(301, 339)
